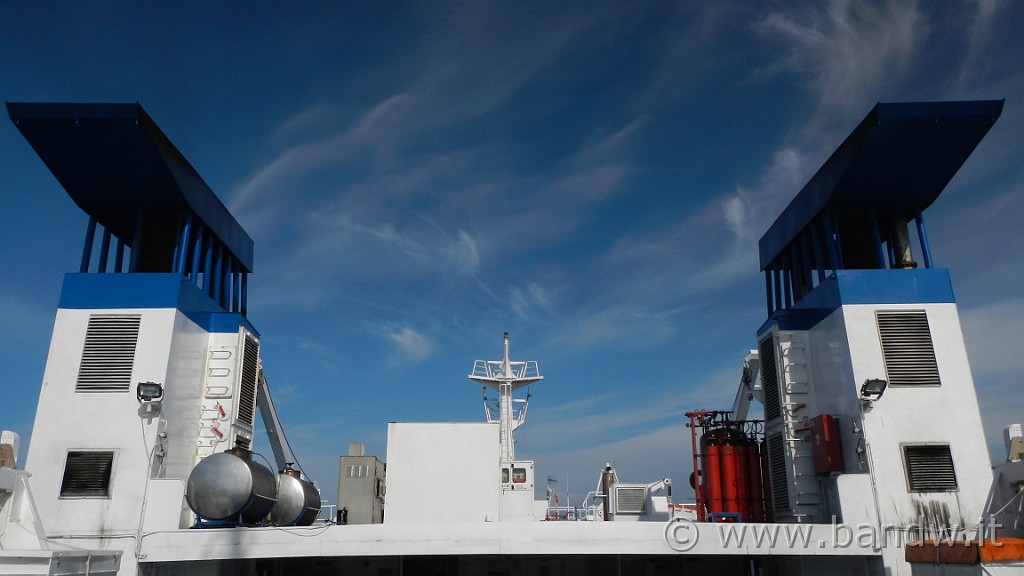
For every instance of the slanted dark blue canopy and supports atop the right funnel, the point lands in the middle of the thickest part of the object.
(893, 166)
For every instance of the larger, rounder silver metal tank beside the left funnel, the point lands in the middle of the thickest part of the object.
(231, 486)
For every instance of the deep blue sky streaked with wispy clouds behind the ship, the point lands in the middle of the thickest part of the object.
(592, 178)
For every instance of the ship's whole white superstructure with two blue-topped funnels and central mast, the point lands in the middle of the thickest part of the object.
(872, 437)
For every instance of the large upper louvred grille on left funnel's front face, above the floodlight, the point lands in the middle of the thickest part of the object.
(109, 354)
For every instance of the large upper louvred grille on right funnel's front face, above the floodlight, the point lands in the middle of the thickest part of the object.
(907, 347)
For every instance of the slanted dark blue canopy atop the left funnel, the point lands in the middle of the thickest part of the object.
(115, 163)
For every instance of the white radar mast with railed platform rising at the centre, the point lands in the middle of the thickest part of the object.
(506, 377)
